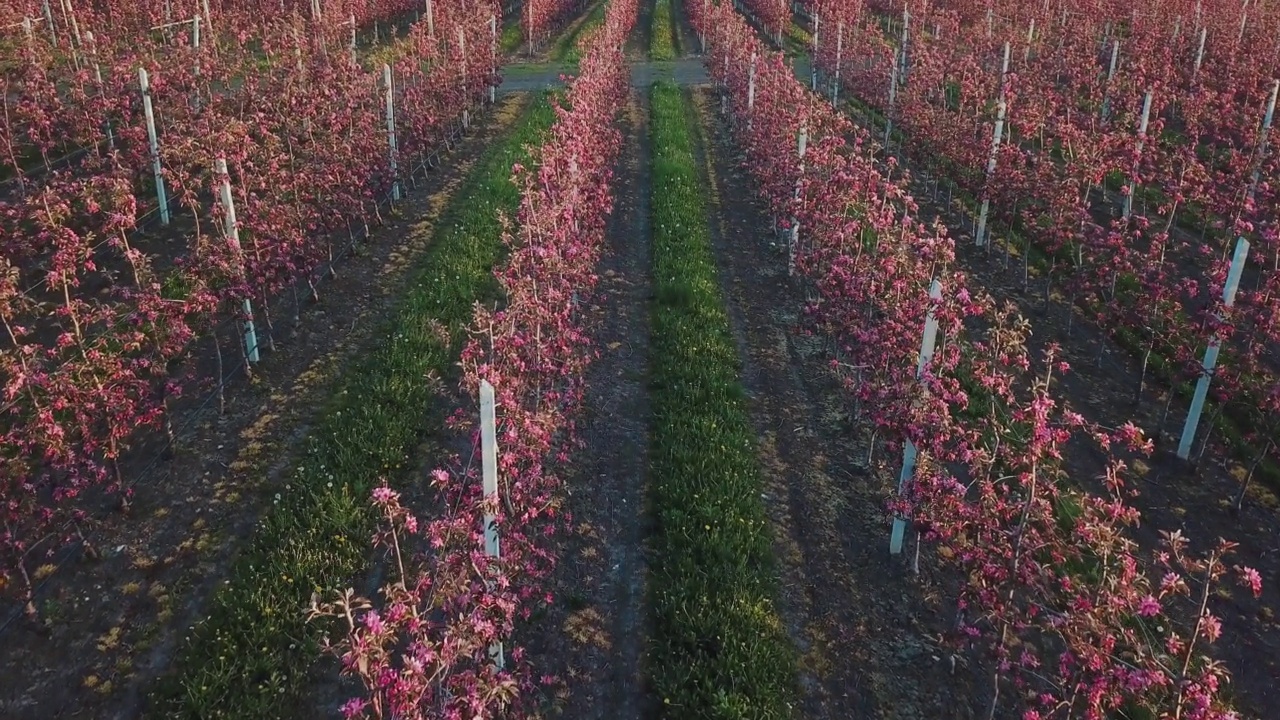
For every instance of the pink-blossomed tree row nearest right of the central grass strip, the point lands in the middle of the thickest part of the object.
(1078, 621)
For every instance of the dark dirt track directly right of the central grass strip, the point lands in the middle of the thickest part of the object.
(861, 622)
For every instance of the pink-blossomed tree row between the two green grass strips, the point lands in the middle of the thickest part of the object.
(435, 645)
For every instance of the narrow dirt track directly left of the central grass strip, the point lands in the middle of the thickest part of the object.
(593, 640)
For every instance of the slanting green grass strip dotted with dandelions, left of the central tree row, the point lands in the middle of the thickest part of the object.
(250, 658)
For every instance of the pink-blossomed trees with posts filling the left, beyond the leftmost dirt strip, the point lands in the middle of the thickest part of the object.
(164, 180)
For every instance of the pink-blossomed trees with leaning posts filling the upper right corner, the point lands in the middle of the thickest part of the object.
(1128, 144)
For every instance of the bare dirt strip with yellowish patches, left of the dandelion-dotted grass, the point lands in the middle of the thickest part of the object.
(113, 623)
